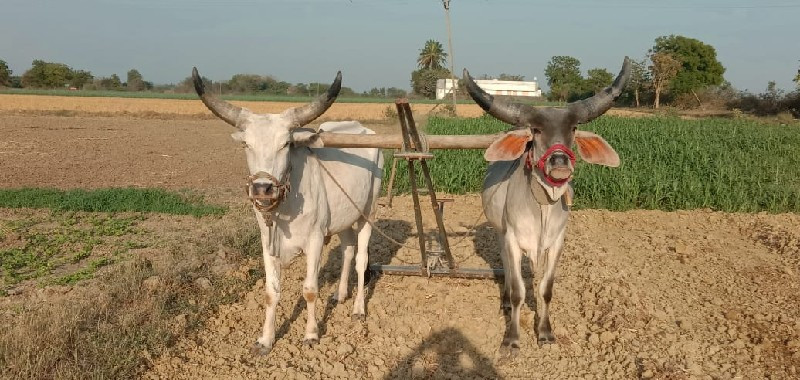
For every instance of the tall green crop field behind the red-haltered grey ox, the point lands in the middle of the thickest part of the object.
(667, 163)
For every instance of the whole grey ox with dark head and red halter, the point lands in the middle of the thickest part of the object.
(529, 172)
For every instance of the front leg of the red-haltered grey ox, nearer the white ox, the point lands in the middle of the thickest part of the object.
(513, 272)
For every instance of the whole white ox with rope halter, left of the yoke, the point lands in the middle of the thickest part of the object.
(297, 204)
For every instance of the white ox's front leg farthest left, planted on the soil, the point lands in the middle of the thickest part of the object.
(272, 286)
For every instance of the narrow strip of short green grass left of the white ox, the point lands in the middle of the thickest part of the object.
(108, 200)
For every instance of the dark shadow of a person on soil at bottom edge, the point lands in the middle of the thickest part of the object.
(444, 354)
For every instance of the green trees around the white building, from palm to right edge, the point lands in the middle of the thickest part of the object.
(678, 71)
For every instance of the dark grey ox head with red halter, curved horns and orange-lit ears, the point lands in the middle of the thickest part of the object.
(546, 134)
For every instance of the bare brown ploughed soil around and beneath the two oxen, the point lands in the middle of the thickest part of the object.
(640, 294)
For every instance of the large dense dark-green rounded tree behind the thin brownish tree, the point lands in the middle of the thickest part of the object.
(700, 67)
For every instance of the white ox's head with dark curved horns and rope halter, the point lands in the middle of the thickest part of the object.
(268, 138)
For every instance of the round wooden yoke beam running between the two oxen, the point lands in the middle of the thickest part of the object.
(341, 140)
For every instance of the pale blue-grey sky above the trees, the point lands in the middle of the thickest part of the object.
(375, 42)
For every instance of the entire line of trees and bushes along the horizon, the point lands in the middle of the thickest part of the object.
(679, 71)
